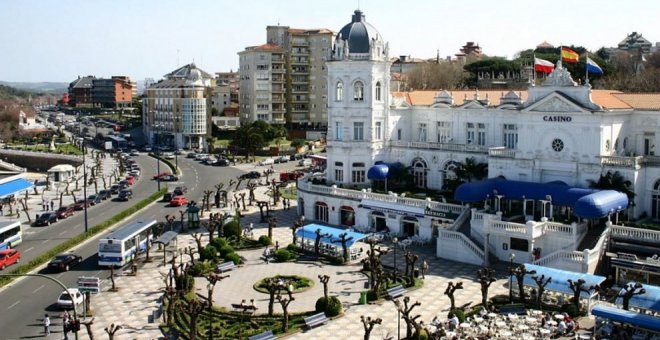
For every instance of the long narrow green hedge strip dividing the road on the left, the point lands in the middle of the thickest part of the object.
(76, 240)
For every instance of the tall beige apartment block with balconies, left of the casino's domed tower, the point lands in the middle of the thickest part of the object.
(284, 80)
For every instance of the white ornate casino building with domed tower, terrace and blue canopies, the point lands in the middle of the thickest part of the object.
(543, 146)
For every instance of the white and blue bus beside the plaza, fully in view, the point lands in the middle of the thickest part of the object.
(120, 246)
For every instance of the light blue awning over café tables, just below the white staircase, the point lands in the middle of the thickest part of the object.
(559, 282)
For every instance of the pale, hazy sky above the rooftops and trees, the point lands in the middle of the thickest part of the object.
(58, 40)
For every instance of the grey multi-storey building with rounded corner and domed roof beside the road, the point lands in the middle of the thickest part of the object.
(177, 109)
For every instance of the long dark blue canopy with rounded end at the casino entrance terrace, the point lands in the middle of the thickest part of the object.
(586, 203)
